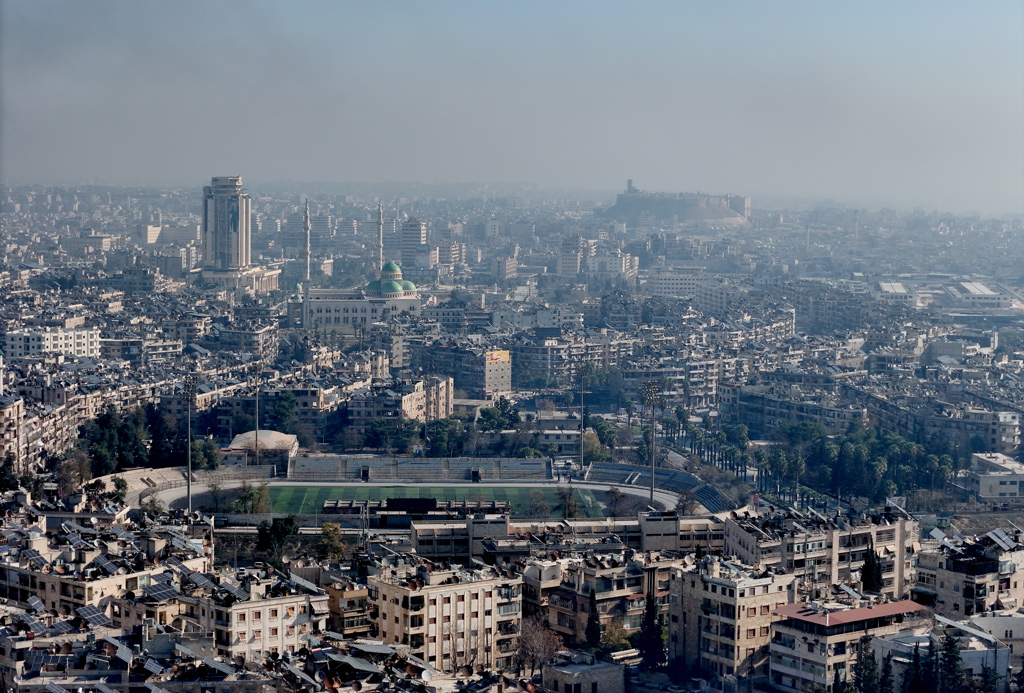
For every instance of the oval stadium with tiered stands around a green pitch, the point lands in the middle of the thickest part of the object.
(313, 484)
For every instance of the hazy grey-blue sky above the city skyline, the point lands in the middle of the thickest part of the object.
(900, 103)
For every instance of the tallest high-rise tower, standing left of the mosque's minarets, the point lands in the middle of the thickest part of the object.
(227, 218)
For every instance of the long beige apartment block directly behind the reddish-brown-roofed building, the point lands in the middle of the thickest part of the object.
(823, 553)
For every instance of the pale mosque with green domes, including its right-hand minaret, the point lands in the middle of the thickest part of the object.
(347, 311)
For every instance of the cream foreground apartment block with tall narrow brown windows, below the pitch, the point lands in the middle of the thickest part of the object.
(450, 618)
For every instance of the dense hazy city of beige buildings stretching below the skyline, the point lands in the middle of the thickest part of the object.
(462, 439)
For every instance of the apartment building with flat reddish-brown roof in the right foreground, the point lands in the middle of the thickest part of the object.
(813, 645)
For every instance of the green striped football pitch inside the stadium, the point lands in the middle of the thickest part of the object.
(310, 500)
